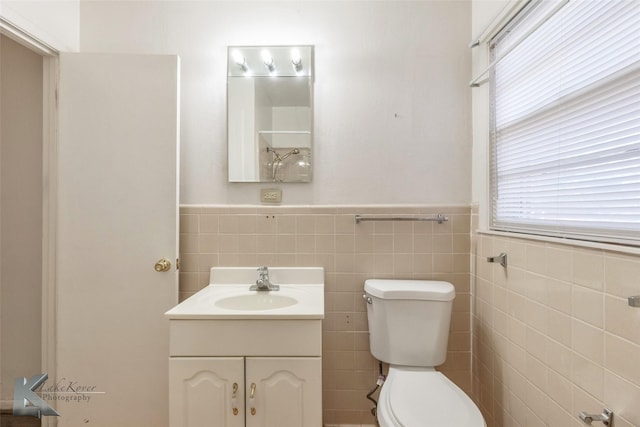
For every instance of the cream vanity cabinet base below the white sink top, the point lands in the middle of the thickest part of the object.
(245, 373)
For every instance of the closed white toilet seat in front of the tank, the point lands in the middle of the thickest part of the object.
(423, 397)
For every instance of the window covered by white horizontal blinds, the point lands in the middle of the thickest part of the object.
(565, 121)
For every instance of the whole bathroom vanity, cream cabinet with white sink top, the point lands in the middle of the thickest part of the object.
(242, 358)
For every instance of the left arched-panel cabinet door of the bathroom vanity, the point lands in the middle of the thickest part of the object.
(206, 391)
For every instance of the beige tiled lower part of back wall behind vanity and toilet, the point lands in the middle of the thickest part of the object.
(350, 253)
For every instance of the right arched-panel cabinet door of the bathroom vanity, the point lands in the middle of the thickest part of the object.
(287, 392)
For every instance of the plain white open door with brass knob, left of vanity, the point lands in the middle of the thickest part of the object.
(117, 216)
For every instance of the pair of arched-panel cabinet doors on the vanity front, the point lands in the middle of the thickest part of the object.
(245, 391)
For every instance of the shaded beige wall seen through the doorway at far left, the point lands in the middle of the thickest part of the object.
(21, 217)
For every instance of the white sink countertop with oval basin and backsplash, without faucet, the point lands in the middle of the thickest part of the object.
(301, 295)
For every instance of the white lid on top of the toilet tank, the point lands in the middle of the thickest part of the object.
(410, 289)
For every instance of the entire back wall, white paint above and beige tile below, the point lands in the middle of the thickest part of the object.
(392, 128)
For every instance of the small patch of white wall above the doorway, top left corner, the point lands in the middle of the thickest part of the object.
(54, 22)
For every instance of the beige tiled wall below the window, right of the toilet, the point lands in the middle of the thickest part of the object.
(553, 334)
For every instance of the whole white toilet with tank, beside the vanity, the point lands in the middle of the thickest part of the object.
(409, 329)
